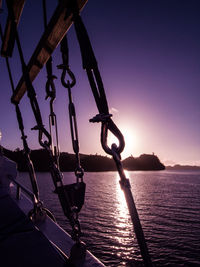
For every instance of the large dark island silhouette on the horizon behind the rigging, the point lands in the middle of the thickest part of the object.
(90, 163)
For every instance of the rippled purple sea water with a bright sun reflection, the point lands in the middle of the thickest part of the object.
(168, 204)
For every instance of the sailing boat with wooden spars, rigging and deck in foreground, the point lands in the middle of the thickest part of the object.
(29, 234)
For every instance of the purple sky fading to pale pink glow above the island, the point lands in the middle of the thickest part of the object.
(148, 53)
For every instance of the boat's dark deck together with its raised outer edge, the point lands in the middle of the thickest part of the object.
(24, 244)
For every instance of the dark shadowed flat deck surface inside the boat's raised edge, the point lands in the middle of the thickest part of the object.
(21, 243)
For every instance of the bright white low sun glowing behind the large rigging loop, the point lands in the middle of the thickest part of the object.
(131, 141)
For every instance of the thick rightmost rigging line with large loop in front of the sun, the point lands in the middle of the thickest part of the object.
(90, 64)
